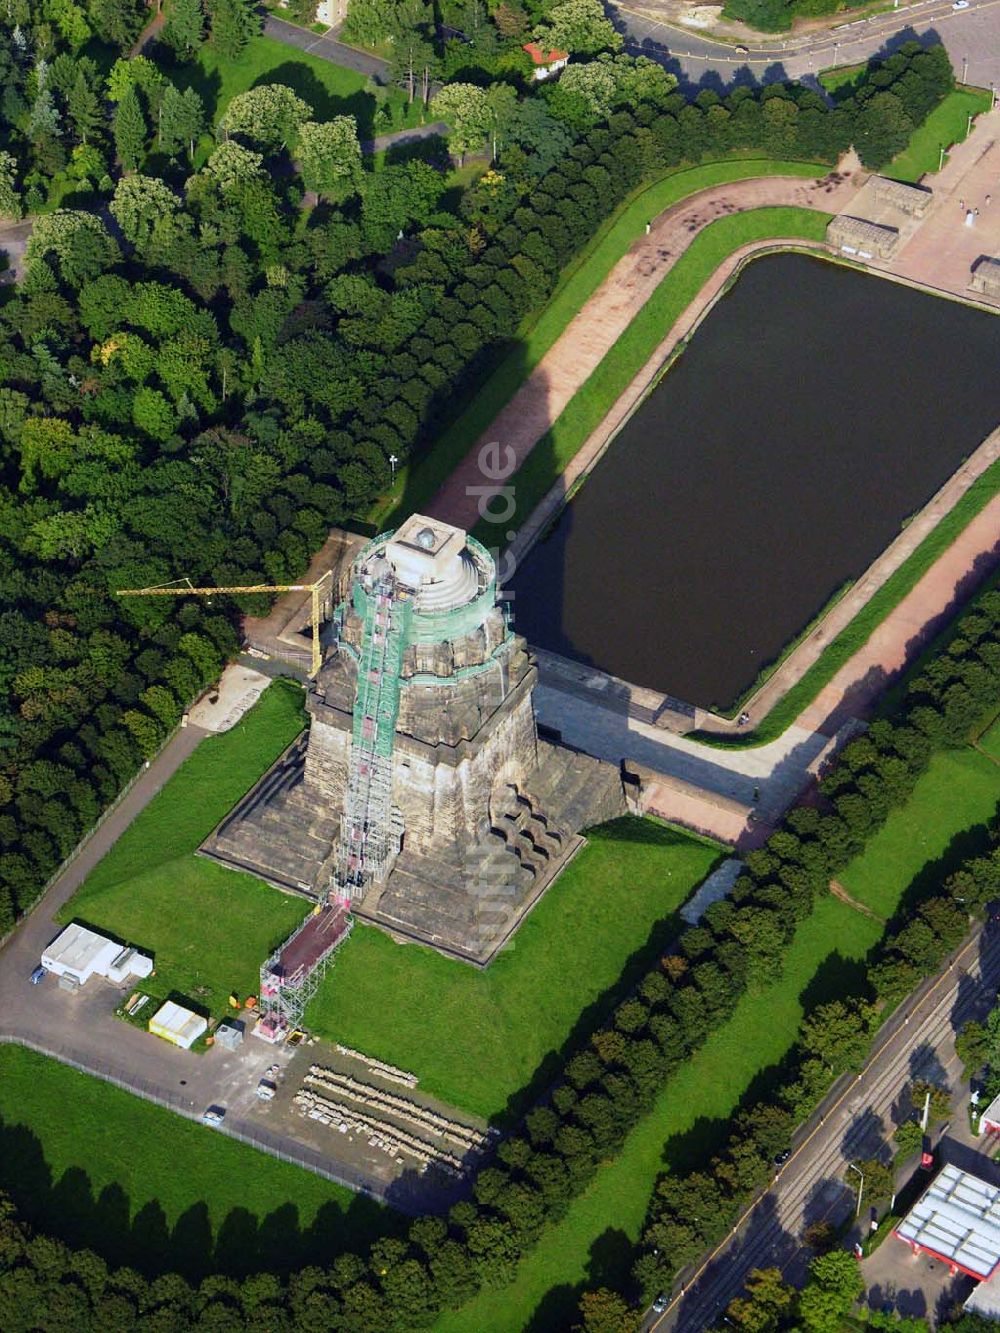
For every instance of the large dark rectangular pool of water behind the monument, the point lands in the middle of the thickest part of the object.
(815, 410)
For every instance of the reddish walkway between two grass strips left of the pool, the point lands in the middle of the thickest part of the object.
(609, 313)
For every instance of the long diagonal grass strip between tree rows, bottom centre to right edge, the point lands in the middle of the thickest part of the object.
(826, 960)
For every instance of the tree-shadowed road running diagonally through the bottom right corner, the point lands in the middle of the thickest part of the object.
(854, 1123)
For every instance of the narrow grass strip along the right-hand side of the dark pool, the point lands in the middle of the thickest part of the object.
(865, 625)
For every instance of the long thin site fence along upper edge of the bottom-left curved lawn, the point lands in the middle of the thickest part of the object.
(257, 1138)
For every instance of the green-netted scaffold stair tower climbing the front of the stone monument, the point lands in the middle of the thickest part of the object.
(367, 823)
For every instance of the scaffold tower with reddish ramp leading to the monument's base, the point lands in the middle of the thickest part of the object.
(290, 978)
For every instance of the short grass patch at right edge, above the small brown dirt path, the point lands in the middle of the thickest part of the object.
(959, 791)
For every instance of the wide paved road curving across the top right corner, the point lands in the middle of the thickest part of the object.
(971, 38)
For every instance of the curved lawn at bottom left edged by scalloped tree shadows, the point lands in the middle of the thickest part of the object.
(142, 1187)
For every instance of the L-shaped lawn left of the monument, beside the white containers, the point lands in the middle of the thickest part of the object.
(209, 928)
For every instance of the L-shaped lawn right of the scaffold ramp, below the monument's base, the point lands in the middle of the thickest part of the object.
(479, 1039)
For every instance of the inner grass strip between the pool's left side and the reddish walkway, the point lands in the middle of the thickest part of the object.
(595, 399)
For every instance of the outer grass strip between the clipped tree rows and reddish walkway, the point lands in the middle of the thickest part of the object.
(582, 278)
